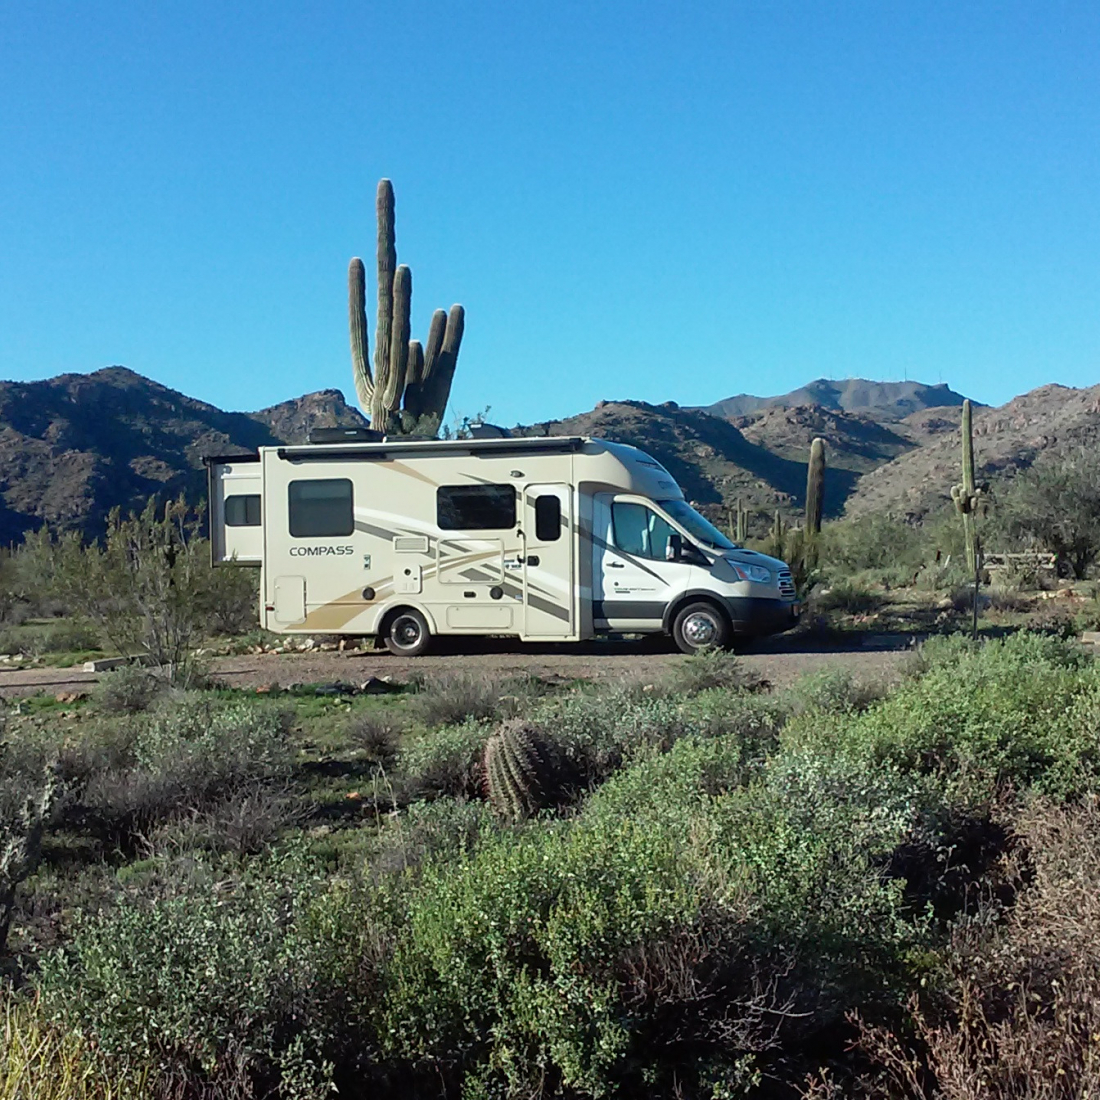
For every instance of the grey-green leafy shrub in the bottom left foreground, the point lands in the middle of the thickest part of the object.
(248, 983)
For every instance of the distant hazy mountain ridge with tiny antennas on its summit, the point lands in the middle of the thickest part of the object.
(878, 401)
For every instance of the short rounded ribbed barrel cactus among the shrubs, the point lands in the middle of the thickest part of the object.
(524, 768)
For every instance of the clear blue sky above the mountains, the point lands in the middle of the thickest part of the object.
(659, 202)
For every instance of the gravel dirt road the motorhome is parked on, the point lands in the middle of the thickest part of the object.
(780, 662)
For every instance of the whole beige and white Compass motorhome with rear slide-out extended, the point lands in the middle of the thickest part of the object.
(548, 540)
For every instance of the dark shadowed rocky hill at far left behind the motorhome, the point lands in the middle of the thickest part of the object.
(74, 447)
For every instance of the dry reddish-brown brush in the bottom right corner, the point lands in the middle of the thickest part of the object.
(1020, 1009)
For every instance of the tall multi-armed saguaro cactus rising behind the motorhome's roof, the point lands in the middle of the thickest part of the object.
(404, 370)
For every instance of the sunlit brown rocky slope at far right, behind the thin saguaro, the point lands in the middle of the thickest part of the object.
(1006, 439)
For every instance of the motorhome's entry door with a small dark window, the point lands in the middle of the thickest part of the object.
(549, 609)
